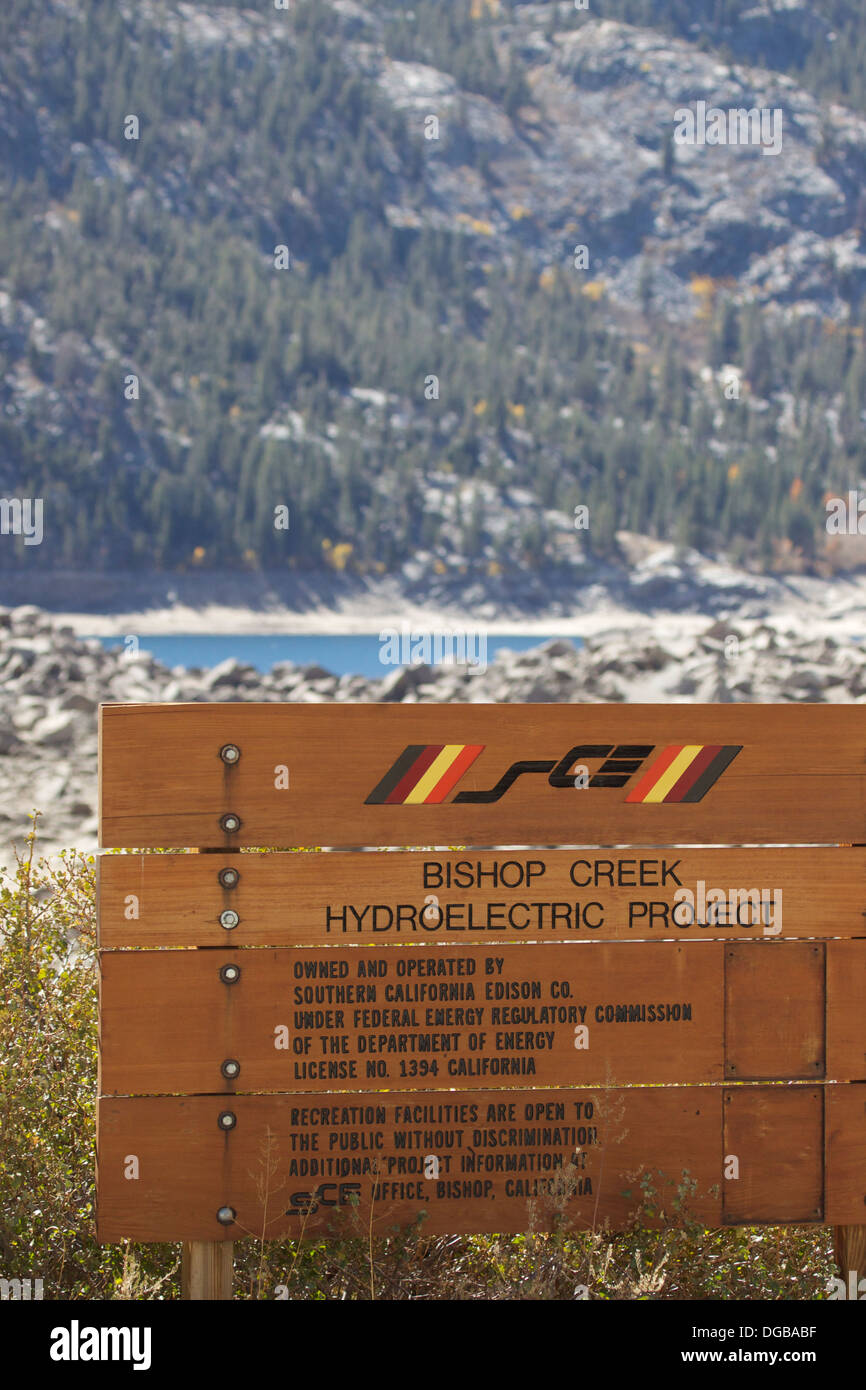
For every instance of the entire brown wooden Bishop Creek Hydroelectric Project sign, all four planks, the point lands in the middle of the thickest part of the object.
(484, 1039)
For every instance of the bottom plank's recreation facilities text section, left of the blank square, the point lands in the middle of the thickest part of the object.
(188, 1168)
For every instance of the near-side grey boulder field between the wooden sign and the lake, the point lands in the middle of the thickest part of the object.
(52, 683)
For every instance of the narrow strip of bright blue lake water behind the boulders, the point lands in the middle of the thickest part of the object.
(344, 655)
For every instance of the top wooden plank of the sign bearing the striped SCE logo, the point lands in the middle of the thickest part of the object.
(797, 779)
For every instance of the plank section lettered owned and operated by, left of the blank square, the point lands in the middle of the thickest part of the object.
(437, 1017)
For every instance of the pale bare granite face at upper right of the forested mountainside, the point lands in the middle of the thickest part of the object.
(587, 163)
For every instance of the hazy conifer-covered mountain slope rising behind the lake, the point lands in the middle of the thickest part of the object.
(440, 377)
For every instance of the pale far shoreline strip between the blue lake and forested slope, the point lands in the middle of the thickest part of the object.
(650, 583)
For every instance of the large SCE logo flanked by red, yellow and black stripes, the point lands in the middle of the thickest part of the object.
(426, 774)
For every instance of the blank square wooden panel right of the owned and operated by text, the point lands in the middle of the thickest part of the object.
(775, 1011)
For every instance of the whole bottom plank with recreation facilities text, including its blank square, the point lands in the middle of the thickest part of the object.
(483, 1161)
